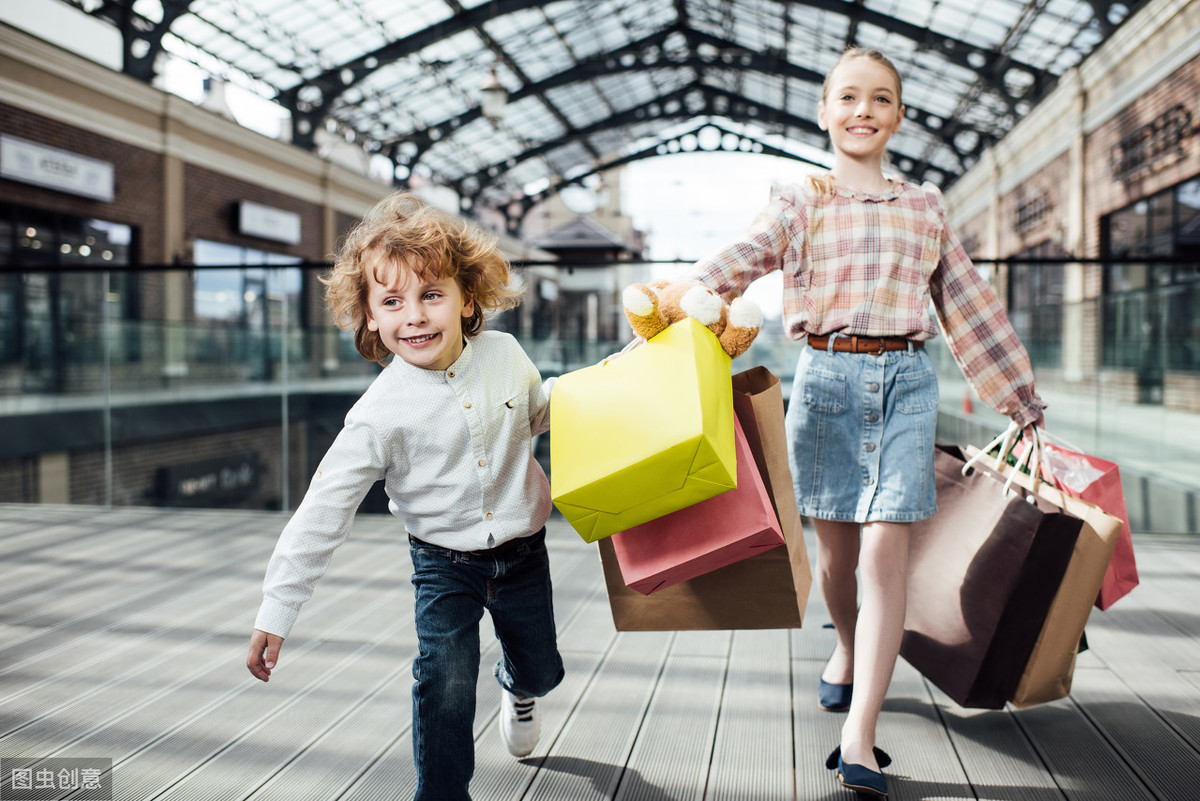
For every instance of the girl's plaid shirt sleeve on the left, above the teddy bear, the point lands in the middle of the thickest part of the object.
(758, 251)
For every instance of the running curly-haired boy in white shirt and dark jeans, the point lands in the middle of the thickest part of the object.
(447, 427)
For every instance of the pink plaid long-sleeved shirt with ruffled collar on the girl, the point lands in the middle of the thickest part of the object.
(872, 266)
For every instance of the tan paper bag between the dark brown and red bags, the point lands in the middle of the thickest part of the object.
(1048, 674)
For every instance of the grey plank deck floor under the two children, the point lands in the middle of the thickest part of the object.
(124, 633)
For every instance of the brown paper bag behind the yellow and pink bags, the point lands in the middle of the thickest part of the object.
(766, 592)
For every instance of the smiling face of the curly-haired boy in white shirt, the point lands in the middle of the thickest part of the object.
(421, 321)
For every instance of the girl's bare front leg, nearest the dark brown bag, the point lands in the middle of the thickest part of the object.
(884, 563)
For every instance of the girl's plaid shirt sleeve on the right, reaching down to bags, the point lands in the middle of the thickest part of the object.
(980, 334)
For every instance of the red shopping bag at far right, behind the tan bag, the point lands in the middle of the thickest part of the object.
(1099, 483)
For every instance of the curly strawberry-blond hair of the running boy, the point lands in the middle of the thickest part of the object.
(403, 230)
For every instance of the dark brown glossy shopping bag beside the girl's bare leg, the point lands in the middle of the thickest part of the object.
(983, 574)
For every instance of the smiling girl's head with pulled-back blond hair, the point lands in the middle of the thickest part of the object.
(862, 109)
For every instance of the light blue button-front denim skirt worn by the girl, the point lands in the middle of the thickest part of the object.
(861, 436)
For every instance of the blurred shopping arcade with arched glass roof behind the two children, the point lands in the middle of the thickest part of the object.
(176, 177)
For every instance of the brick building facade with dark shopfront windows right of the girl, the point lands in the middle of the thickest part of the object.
(1119, 135)
